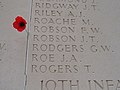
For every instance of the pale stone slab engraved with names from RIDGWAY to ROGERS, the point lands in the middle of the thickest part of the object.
(74, 45)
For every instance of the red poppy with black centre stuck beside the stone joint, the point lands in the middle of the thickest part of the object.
(19, 24)
